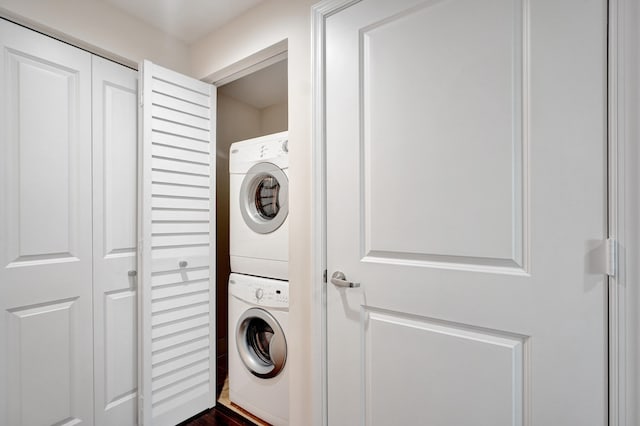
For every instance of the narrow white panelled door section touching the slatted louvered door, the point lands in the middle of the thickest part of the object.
(115, 148)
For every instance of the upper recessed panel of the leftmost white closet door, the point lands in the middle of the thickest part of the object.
(41, 225)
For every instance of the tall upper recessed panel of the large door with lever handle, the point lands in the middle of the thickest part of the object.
(500, 234)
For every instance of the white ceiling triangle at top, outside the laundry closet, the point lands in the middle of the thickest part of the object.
(186, 20)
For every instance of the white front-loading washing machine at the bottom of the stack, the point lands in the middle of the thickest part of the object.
(258, 317)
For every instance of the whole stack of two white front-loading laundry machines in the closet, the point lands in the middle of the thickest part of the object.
(258, 284)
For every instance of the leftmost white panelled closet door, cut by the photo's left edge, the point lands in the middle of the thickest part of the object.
(46, 346)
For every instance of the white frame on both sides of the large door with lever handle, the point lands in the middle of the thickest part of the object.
(624, 197)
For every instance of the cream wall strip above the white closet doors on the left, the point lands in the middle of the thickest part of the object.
(101, 28)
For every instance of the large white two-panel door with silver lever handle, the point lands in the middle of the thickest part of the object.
(466, 193)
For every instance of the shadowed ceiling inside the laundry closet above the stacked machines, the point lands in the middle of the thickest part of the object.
(262, 88)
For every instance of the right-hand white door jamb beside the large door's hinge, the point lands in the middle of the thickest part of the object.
(624, 188)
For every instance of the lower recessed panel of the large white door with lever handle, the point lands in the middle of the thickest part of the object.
(471, 356)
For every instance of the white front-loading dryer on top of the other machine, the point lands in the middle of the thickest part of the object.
(259, 206)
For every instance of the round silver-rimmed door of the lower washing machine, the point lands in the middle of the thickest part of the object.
(261, 343)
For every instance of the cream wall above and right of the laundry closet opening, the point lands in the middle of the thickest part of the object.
(269, 23)
